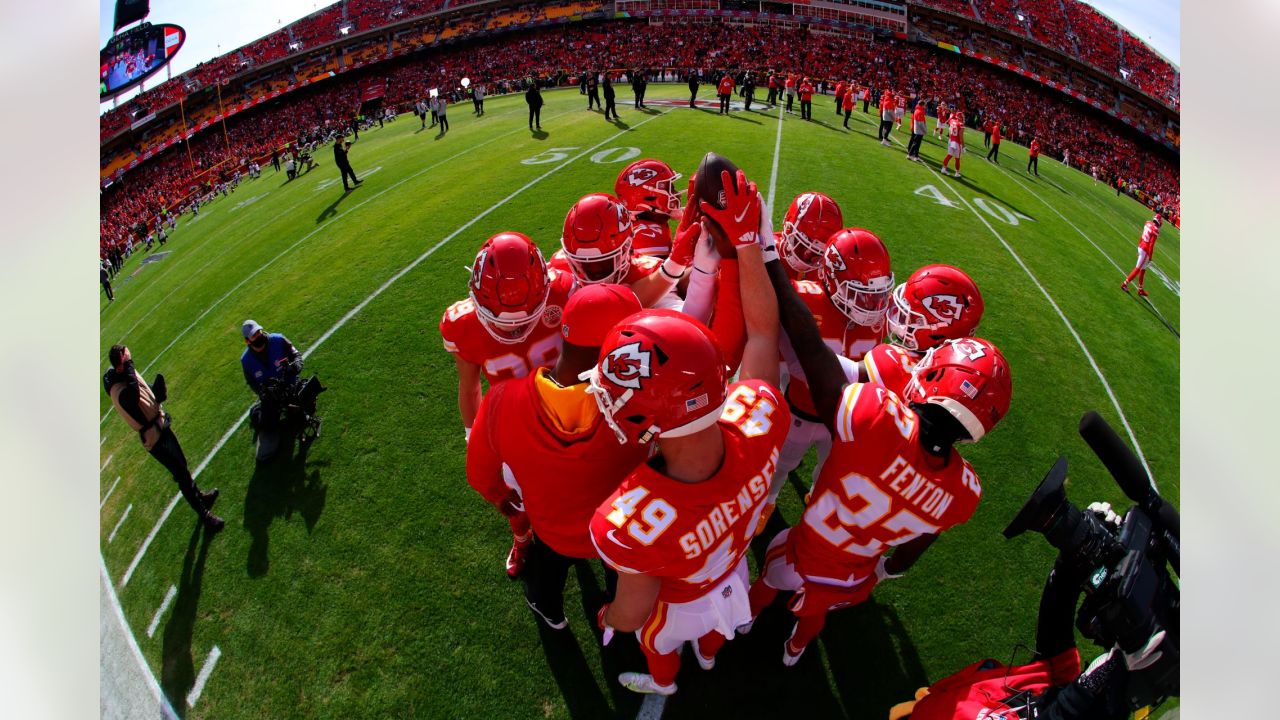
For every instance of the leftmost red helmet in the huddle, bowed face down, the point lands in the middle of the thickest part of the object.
(509, 286)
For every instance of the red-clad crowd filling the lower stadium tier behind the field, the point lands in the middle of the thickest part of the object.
(1027, 110)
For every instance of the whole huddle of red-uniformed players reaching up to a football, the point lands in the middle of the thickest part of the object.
(611, 429)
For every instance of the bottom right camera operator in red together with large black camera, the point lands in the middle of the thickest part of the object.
(1131, 609)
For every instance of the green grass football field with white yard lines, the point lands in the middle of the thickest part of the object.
(368, 581)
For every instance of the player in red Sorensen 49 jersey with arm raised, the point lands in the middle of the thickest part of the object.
(678, 528)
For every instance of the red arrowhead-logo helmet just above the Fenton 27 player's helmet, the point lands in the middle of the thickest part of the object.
(938, 303)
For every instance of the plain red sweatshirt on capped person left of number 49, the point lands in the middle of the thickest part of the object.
(561, 476)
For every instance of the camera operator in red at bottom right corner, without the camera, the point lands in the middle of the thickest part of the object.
(1050, 687)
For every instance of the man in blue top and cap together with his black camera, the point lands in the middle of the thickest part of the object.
(286, 404)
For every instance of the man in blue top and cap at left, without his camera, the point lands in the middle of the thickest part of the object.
(268, 359)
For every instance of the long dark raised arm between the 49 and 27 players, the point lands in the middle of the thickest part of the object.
(822, 370)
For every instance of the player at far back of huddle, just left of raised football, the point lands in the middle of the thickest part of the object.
(648, 190)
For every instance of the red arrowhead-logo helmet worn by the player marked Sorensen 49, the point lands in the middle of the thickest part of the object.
(660, 373)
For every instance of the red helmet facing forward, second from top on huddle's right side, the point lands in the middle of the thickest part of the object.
(857, 275)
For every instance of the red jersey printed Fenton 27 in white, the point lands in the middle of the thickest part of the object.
(879, 489)
